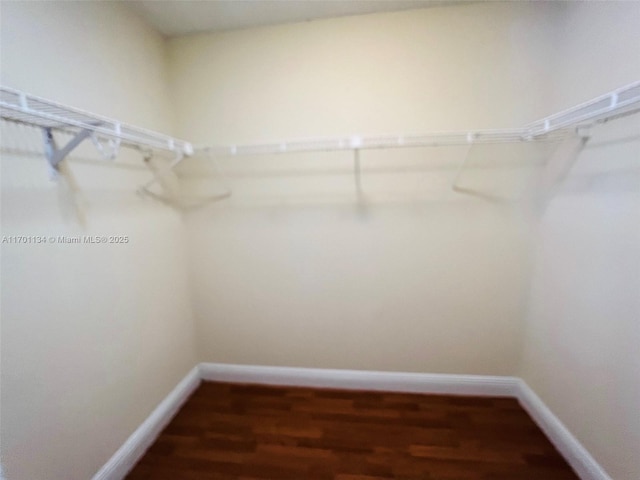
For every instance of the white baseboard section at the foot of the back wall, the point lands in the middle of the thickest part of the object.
(363, 380)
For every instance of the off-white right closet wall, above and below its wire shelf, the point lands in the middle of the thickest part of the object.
(581, 349)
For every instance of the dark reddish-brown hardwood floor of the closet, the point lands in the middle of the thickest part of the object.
(228, 431)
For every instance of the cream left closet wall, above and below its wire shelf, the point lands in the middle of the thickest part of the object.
(93, 336)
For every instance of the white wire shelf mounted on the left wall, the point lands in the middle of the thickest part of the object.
(20, 107)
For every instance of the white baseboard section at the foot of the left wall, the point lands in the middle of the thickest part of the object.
(125, 458)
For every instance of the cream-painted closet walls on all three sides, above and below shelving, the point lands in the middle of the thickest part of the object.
(296, 268)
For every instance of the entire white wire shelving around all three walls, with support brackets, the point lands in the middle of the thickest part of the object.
(17, 106)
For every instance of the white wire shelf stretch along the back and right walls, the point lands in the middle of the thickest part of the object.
(622, 101)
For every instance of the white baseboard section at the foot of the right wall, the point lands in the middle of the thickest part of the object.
(571, 449)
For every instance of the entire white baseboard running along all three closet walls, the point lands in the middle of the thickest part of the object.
(479, 385)
